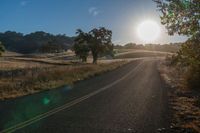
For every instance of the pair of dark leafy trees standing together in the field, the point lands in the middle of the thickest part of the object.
(97, 41)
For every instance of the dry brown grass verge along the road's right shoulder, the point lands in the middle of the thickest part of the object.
(185, 103)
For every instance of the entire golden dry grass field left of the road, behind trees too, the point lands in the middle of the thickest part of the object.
(26, 74)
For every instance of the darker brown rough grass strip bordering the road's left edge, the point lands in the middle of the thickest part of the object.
(21, 82)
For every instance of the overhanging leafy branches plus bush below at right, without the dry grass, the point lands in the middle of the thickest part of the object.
(183, 17)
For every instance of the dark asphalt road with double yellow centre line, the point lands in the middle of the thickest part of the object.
(131, 99)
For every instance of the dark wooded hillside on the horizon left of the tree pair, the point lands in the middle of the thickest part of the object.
(35, 42)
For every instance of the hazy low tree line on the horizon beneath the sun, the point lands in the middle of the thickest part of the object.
(172, 47)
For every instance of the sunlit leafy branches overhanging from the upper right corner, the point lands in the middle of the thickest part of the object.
(180, 16)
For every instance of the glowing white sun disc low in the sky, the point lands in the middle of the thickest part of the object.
(148, 31)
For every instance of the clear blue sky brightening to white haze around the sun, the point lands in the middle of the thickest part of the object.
(65, 16)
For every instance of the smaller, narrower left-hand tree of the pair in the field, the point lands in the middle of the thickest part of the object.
(81, 47)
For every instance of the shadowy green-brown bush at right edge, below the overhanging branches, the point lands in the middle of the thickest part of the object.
(188, 58)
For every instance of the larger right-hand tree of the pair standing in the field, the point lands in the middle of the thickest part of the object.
(99, 41)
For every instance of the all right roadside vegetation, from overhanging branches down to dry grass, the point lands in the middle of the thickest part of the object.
(182, 70)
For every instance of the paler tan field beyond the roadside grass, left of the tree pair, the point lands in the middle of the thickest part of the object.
(12, 61)
